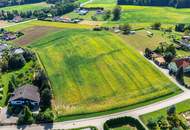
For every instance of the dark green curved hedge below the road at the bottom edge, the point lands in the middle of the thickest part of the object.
(118, 122)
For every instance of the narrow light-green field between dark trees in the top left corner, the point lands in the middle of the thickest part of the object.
(26, 7)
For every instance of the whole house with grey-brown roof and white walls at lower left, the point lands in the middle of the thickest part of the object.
(25, 95)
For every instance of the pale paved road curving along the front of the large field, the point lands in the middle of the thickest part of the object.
(98, 121)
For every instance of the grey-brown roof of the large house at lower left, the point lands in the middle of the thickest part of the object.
(29, 92)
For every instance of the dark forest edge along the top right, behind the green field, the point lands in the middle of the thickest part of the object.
(174, 3)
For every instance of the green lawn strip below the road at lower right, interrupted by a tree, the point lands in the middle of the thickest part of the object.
(180, 107)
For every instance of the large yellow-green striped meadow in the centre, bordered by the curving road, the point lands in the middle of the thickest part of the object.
(97, 71)
